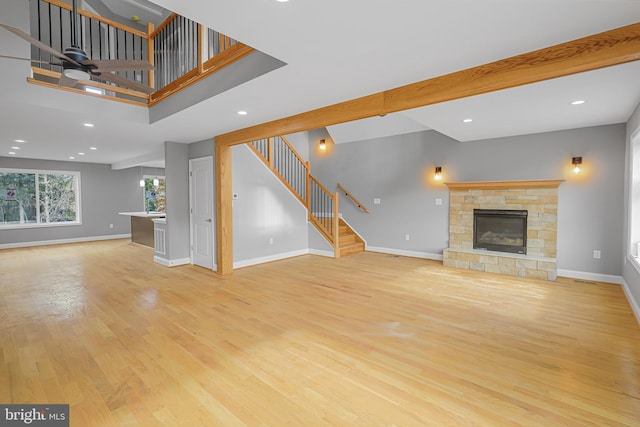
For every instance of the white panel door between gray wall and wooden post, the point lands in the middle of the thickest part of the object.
(201, 201)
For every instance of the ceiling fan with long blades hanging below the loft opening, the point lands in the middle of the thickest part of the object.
(77, 66)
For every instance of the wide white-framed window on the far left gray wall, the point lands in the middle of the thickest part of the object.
(39, 198)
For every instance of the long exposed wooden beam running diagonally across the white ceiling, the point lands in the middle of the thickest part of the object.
(601, 50)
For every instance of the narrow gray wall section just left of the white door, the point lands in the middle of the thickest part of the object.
(177, 193)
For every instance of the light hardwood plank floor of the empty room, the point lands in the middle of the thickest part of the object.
(365, 340)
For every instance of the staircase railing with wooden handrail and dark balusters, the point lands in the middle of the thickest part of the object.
(294, 172)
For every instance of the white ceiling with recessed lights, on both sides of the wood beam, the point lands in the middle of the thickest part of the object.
(337, 50)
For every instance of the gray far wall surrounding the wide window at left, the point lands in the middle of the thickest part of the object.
(104, 193)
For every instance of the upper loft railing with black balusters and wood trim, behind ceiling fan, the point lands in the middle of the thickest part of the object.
(181, 50)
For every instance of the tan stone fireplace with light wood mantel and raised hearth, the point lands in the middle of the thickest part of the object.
(536, 200)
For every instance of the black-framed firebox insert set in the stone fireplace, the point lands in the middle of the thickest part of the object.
(501, 230)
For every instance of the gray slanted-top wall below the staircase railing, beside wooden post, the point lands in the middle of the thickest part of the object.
(264, 209)
